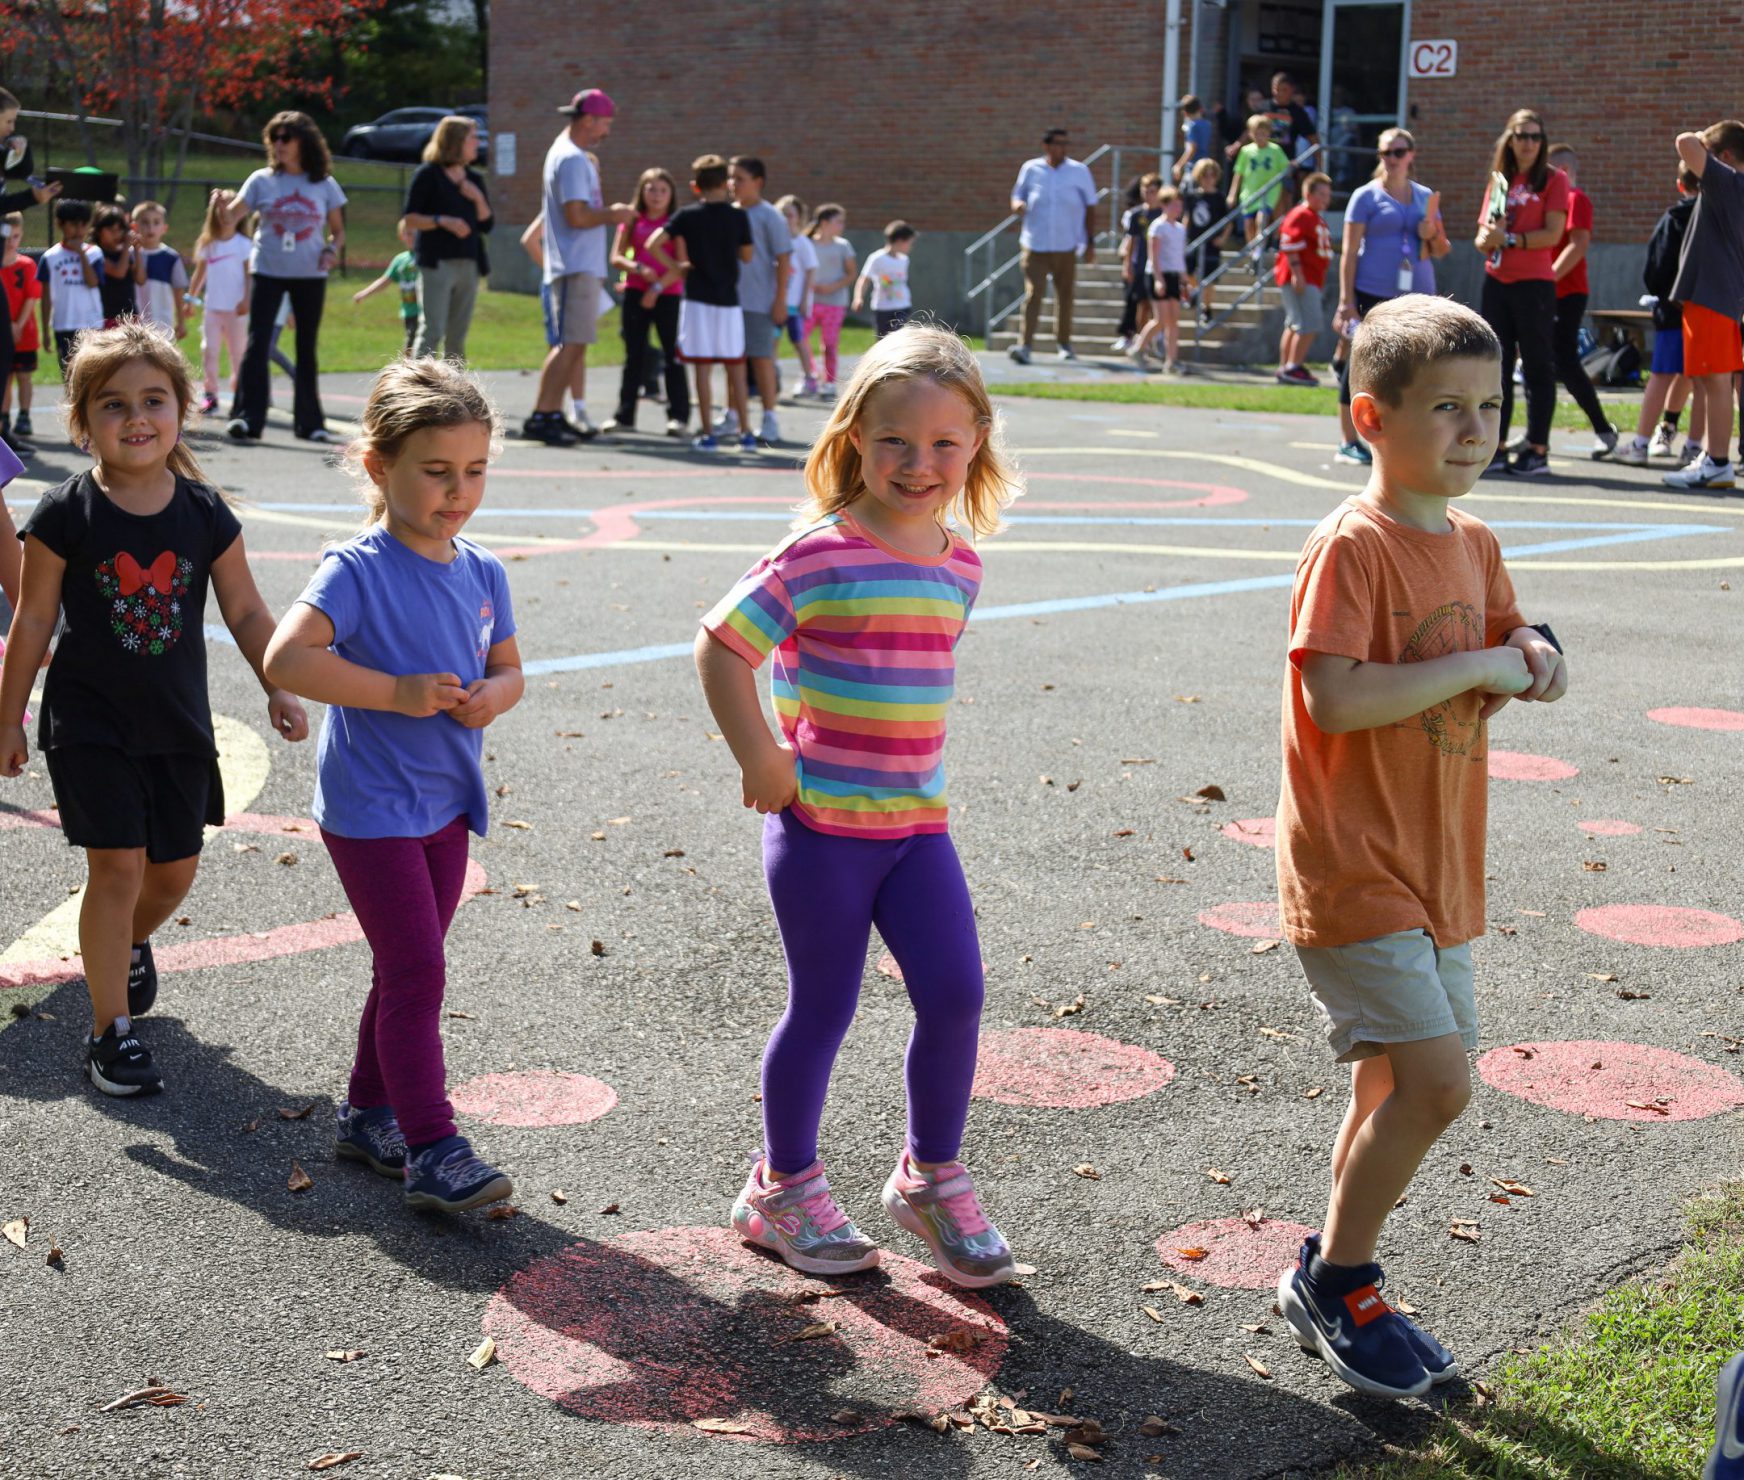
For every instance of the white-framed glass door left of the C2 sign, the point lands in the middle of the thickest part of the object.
(1363, 85)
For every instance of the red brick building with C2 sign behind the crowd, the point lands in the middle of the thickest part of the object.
(925, 112)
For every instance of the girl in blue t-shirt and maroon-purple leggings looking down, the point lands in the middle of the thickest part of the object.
(407, 635)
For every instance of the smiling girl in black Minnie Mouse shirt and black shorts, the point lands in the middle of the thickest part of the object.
(126, 553)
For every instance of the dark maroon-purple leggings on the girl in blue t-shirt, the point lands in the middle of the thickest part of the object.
(405, 893)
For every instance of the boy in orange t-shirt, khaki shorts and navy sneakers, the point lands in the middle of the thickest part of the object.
(1405, 641)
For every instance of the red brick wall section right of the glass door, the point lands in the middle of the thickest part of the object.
(1619, 79)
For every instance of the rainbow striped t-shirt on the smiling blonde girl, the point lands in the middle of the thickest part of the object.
(862, 637)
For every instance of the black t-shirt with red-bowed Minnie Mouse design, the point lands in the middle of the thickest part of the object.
(130, 667)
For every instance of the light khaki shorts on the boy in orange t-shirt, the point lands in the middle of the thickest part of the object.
(1391, 989)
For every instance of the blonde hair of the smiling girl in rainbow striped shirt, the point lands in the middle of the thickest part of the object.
(835, 477)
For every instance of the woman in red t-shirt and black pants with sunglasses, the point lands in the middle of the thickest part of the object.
(1520, 283)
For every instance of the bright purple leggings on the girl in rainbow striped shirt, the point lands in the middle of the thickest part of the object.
(828, 895)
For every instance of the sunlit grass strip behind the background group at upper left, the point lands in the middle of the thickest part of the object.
(508, 334)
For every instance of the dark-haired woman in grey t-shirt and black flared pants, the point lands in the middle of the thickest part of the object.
(303, 233)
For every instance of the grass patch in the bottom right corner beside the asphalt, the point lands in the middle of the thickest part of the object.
(1626, 1395)
